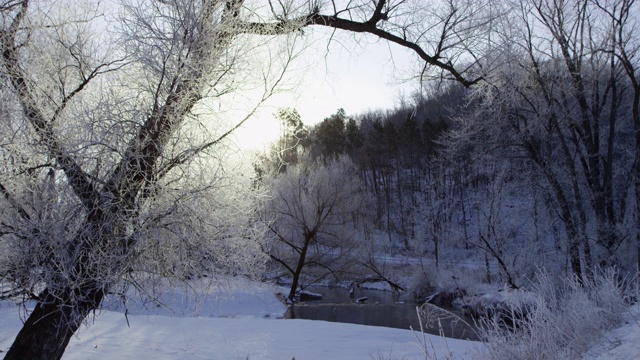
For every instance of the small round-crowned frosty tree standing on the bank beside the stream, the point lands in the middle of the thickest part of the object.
(315, 209)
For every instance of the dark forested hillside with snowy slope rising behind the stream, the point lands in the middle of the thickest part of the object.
(466, 176)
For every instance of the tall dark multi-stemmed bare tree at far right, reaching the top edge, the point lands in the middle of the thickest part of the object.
(558, 97)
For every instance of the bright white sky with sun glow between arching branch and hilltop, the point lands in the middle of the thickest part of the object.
(356, 74)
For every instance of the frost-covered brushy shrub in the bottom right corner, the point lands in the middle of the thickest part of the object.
(561, 322)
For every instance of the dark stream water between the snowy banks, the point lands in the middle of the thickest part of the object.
(381, 309)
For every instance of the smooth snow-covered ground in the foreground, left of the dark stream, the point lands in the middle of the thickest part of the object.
(242, 325)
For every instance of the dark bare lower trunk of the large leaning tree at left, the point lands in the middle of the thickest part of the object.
(50, 326)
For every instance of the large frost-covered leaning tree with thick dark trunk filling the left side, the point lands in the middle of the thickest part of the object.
(109, 171)
